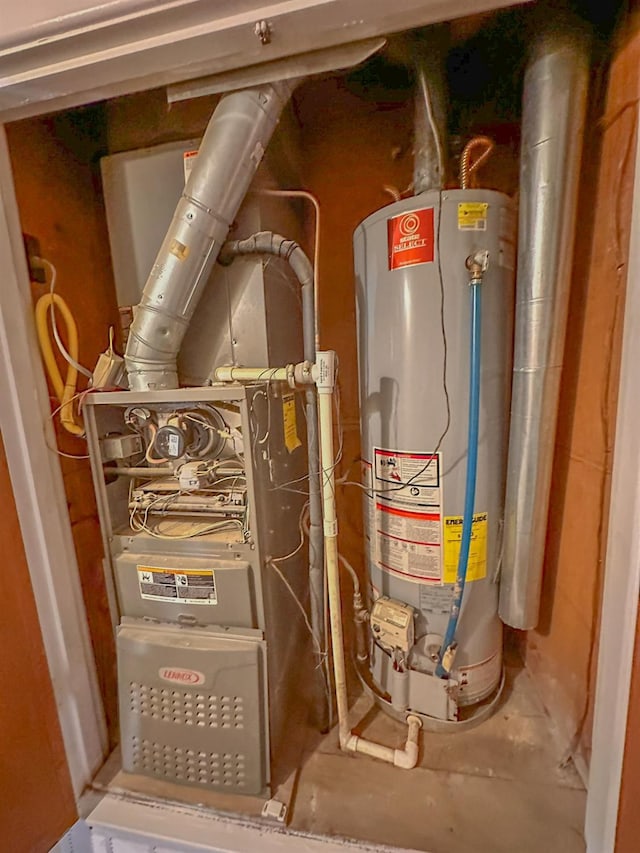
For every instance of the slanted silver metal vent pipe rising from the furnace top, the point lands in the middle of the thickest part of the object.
(230, 153)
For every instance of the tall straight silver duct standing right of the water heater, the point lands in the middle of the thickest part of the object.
(555, 93)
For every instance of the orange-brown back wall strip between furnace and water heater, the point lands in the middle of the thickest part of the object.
(352, 147)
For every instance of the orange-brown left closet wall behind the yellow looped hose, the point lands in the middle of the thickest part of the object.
(59, 203)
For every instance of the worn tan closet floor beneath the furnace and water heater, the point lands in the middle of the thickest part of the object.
(498, 788)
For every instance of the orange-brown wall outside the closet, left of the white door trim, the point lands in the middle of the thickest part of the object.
(36, 800)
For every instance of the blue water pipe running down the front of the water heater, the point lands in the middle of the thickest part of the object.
(448, 644)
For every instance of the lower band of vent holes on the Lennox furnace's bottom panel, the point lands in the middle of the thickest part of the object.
(188, 765)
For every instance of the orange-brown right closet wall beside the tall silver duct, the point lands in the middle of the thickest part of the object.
(562, 652)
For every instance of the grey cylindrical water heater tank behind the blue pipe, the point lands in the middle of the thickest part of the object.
(414, 307)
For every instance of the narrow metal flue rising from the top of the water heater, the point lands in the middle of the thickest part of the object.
(430, 118)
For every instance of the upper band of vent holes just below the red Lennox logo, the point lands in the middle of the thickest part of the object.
(186, 708)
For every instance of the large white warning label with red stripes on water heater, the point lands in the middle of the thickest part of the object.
(407, 514)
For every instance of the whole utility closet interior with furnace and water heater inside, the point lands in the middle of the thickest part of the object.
(333, 357)
